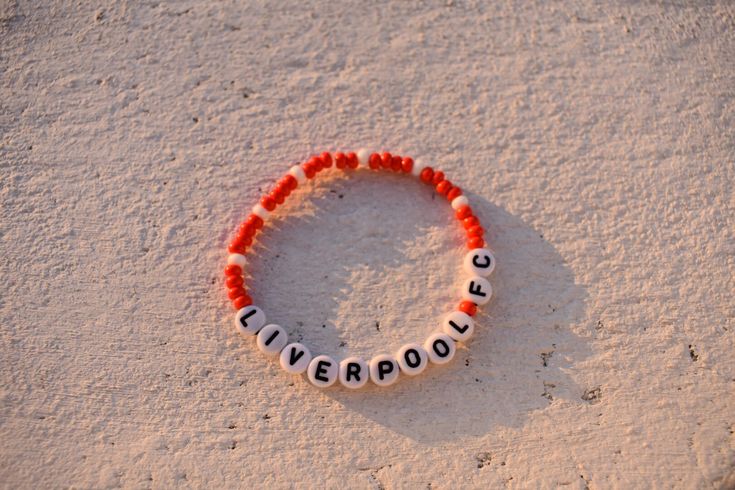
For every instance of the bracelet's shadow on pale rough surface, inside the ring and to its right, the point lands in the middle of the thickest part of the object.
(348, 271)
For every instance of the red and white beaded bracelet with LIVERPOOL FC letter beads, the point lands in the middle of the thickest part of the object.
(383, 369)
